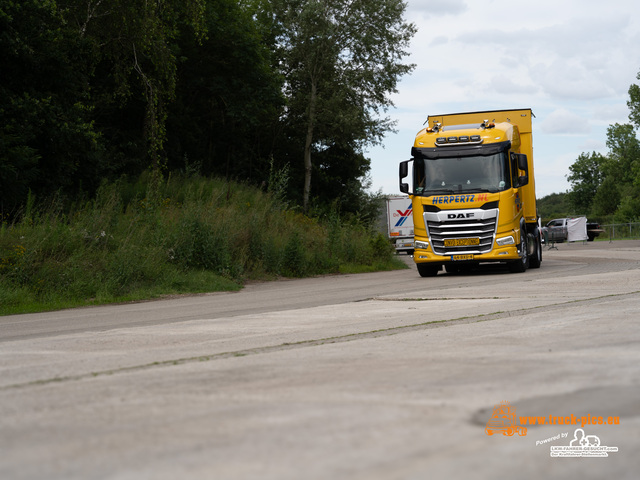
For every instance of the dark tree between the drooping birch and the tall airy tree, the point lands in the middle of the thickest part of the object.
(228, 96)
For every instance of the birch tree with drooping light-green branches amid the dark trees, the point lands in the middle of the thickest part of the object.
(137, 41)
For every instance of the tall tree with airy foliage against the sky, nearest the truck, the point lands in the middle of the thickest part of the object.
(341, 60)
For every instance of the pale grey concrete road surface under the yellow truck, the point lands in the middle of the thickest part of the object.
(373, 376)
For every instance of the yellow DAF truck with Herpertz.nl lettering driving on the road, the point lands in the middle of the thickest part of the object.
(471, 183)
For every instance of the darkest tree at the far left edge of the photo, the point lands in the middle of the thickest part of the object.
(46, 133)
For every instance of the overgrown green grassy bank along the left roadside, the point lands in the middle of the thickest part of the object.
(146, 238)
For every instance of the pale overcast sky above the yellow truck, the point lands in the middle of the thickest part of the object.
(570, 61)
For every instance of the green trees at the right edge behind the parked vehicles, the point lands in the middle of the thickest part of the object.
(608, 186)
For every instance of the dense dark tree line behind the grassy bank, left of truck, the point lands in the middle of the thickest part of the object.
(96, 89)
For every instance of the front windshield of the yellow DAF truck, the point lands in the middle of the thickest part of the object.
(478, 173)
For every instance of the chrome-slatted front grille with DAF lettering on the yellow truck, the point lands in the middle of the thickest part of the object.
(459, 225)
